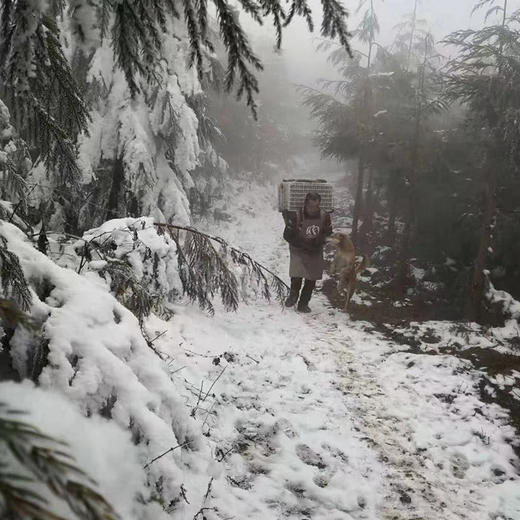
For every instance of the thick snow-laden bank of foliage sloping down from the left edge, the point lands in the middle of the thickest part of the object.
(91, 349)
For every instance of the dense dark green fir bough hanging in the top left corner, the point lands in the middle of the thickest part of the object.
(45, 99)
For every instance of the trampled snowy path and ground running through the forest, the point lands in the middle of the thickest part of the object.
(324, 416)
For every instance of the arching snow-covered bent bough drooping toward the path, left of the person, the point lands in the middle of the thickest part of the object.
(148, 266)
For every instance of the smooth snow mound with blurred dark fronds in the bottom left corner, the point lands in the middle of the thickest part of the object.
(103, 452)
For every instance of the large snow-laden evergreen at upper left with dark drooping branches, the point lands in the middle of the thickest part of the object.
(55, 102)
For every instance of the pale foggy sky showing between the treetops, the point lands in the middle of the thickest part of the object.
(306, 65)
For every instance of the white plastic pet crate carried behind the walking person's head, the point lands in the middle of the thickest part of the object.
(292, 192)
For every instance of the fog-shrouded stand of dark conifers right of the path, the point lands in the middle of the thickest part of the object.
(436, 146)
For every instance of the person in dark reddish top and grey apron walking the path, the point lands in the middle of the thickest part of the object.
(306, 230)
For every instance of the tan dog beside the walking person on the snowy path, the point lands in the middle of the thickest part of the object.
(345, 266)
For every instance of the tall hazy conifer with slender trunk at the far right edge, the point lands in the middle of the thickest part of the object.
(485, 74)
